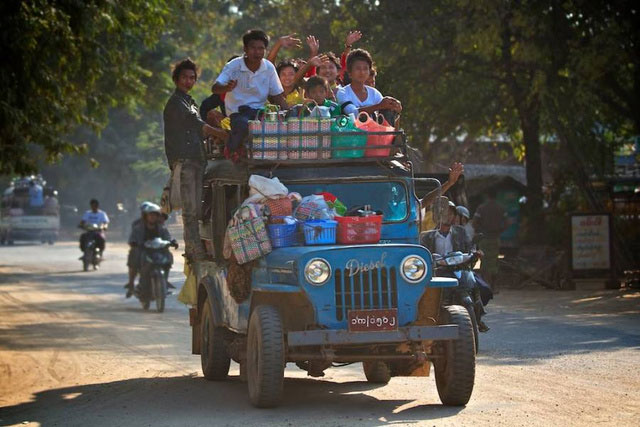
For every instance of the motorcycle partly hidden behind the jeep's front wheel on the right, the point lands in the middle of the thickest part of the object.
(460, 265)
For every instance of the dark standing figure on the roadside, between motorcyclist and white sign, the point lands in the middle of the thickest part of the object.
(490, 220)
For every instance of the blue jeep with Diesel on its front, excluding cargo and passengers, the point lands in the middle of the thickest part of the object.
(317, 306)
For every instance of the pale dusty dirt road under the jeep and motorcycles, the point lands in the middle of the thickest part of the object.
(73, 352)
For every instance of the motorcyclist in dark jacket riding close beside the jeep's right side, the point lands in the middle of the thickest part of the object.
(450, 238)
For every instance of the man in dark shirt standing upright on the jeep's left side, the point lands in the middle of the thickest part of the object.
(184, 132)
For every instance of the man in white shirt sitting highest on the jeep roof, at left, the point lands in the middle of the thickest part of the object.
(248, 82)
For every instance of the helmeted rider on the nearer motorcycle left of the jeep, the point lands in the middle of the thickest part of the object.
(148, 227)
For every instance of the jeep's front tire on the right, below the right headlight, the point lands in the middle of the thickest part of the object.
(455, 372)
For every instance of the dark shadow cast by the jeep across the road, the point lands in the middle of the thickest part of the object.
(187, 400)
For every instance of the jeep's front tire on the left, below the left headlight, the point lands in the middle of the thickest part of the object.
(265, 357)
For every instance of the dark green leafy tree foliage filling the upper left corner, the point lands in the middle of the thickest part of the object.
(68, 63)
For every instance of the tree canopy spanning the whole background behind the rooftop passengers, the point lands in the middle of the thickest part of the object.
(527, 71)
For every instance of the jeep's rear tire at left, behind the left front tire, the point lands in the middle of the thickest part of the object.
(213, 354)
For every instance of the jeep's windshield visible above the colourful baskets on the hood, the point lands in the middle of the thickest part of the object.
(390, 197)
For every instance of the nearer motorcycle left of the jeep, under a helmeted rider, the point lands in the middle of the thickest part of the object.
(156, 262)
